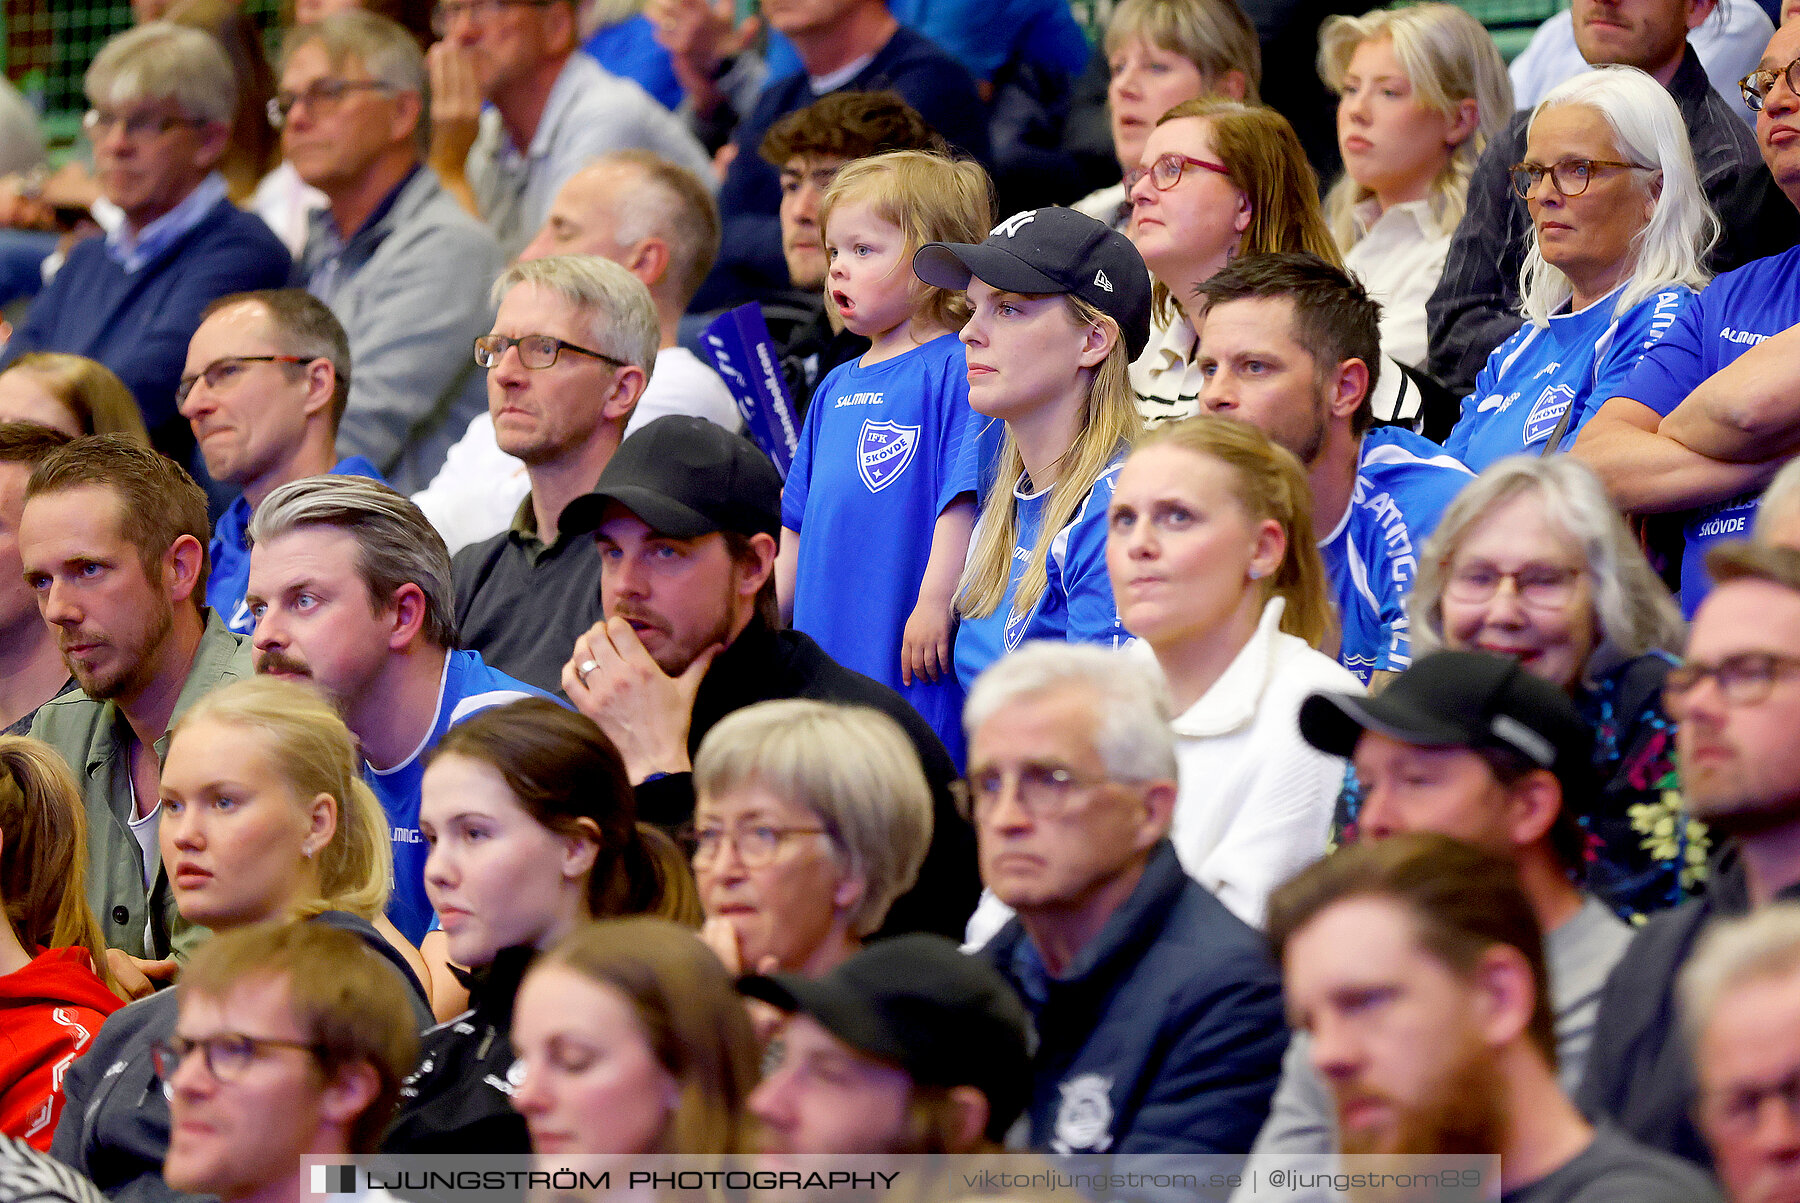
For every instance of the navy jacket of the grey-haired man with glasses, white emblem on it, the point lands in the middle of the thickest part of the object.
(1167, 1033)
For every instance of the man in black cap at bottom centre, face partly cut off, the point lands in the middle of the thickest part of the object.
(924, 1047)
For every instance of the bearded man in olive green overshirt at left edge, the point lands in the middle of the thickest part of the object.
(114, 543)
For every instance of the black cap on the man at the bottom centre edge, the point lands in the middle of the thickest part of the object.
(915, 1000)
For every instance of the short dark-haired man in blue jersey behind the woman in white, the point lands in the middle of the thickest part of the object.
(1291, 347)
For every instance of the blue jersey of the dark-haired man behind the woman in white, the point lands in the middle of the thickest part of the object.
(1403, 484)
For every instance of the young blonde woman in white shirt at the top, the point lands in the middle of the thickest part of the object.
(1421, 91)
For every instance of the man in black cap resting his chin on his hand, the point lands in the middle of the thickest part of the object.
(685, 521)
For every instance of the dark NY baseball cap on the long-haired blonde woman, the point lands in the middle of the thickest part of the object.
(1045, 251)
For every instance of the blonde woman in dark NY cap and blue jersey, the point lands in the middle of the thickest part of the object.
(1061, 305)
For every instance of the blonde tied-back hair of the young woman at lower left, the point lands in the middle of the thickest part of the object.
(316, 754)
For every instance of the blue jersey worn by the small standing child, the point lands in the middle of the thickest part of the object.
(883, 453)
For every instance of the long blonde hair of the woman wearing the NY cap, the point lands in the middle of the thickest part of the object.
(1110, 422)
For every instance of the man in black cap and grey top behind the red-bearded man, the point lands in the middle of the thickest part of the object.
(1471, 746)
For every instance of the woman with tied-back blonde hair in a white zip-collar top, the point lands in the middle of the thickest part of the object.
(1218, 572)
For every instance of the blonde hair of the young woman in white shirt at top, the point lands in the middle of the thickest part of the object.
(1450, 59)
